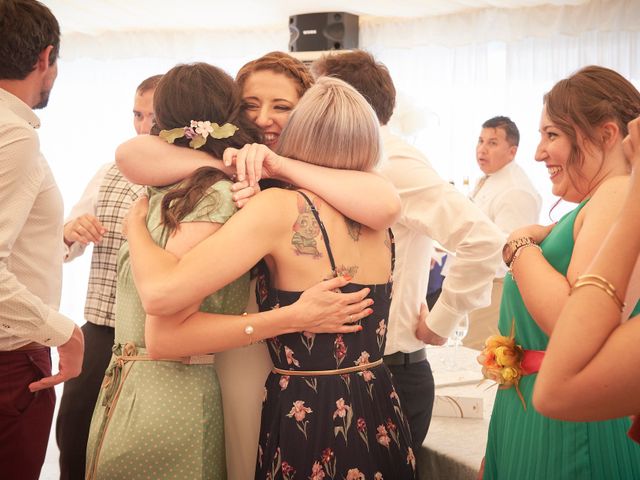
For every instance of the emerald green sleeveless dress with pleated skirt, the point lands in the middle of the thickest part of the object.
(526, 445)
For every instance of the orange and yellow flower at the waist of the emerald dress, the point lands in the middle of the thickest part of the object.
(501, 361)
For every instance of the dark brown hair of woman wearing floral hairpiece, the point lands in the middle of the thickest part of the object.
(200, 92)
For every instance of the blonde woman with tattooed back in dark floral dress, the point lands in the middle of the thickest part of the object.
(330, 407)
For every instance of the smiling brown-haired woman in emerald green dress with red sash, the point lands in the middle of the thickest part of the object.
(583, 123)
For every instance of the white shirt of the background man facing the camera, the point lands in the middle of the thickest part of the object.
(510, 200)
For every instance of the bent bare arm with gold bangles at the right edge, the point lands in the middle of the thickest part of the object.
(576, 380)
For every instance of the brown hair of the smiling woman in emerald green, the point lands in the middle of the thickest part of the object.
(583, 102)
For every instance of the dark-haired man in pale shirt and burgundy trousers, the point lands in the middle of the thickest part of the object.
(30, 245)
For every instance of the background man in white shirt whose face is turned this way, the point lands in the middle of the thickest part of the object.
(507, 196)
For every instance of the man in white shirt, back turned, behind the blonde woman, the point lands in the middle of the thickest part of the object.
(432, 209)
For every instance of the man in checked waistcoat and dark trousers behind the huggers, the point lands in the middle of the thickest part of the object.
(97, 218)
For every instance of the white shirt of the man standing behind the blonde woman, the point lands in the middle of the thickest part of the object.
(432, 209)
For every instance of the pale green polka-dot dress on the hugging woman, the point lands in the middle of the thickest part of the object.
(161, 419)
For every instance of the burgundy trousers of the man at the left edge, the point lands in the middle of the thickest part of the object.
(25, 417)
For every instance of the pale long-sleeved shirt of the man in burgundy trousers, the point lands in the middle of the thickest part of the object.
(31, 246)
